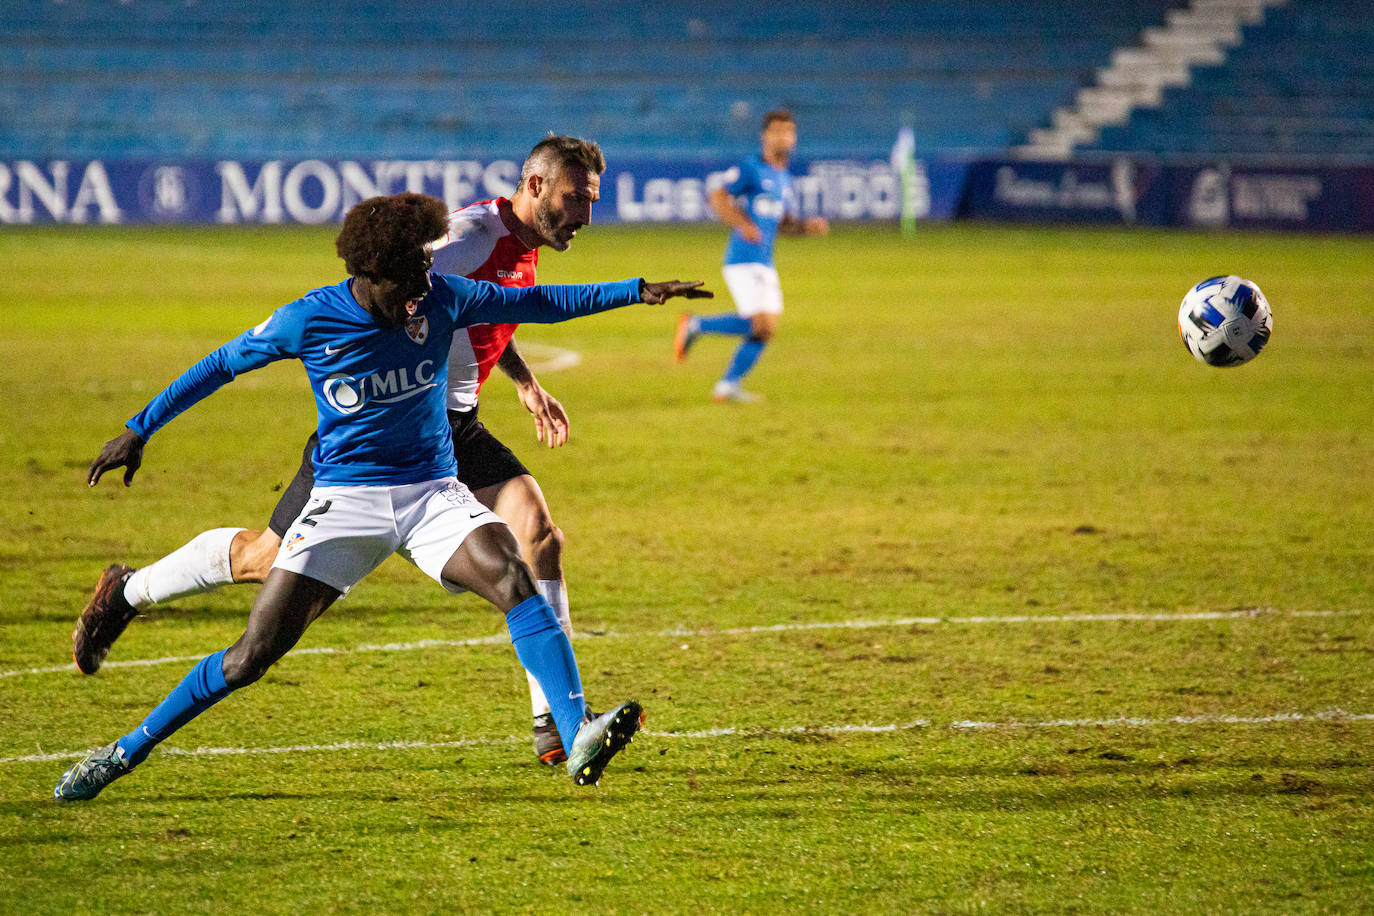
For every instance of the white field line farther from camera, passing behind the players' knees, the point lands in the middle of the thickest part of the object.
(739, 631)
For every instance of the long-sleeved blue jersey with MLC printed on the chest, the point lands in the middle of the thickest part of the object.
(380, 393)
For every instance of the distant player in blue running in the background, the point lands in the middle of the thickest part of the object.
(758, 204)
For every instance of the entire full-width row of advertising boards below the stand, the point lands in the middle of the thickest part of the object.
(1122, 192)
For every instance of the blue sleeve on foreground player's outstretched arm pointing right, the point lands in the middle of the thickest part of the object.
(482, 303)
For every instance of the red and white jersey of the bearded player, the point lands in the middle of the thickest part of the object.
(482, 248)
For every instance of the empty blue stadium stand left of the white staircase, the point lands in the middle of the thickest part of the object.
(251, 79)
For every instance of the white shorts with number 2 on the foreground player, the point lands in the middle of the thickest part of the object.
(346, 532)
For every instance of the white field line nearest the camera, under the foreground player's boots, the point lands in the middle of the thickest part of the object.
(958, 726)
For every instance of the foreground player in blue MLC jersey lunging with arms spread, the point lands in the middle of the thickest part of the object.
(376, 350)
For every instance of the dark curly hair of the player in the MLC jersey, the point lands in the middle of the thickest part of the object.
(381, 237)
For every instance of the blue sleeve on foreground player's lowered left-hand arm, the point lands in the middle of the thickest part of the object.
(278, 339)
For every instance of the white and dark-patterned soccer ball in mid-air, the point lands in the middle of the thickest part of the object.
(1225, 321)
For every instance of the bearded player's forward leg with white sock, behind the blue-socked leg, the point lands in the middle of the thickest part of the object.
(520, 502)
